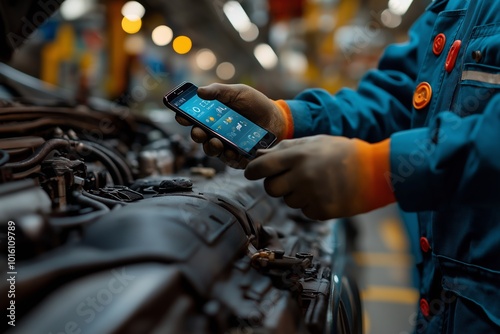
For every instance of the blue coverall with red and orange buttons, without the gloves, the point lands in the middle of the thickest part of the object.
(437, 97)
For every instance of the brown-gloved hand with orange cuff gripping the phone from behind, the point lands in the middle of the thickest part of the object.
(271, 115)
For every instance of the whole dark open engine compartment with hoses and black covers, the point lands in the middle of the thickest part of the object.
(118, 226)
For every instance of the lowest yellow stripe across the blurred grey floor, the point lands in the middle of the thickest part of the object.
(390, 295)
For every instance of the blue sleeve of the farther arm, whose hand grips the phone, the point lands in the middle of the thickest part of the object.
(379, 107)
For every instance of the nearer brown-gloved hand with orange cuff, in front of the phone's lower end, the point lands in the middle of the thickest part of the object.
(325, 176)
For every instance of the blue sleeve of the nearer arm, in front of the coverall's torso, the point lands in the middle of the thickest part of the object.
(455, 161)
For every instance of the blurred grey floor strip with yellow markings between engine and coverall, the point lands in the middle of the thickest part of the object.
(385, 272)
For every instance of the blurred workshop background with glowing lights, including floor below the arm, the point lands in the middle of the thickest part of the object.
(133, 52)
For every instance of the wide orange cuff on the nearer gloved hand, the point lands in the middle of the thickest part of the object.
(375, 187)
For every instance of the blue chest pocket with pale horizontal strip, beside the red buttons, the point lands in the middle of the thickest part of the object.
(480, 79)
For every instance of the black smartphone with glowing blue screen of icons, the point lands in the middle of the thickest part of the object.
(219, 120)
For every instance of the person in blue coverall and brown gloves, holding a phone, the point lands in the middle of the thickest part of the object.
(427, 129)
